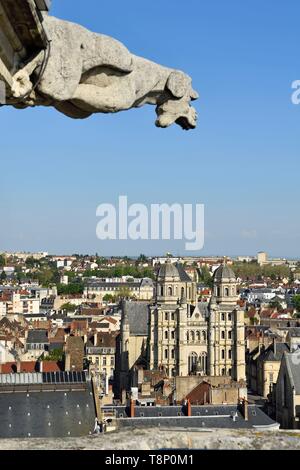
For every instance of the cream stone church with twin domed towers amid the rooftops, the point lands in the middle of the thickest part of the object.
(180, 336)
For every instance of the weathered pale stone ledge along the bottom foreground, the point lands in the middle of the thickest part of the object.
(154, 439)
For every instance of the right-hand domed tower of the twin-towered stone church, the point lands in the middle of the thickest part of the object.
(226, 327)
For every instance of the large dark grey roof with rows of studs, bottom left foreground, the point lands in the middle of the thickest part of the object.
(47, 414)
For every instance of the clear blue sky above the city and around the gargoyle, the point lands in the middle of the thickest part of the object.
(242, 162)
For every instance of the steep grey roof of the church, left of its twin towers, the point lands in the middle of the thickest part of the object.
(137, 313)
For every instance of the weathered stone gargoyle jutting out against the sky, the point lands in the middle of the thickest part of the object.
(83, 73)
